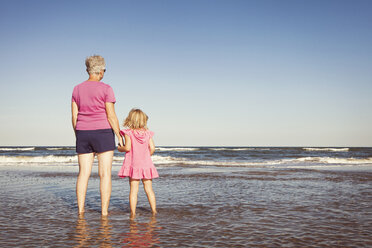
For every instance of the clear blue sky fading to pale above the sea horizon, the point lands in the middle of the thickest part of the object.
(220, 73)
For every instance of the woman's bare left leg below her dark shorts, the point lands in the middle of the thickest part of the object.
(85, 168)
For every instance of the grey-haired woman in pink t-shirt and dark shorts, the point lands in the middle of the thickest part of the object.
(94, 122)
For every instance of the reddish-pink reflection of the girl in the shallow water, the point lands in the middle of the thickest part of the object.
(141, 234)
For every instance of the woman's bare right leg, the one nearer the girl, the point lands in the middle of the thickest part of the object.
(104, 171)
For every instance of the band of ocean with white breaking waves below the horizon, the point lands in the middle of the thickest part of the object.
(209, 157)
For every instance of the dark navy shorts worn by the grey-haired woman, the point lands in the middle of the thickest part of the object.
(101, 140)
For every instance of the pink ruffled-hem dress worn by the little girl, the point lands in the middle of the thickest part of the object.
(137, 163)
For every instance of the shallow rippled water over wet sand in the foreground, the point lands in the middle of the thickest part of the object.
(198, 207)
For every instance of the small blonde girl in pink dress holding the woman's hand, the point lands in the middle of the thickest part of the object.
(138, 165)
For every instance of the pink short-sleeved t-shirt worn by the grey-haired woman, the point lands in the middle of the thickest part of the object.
(90, 97)
